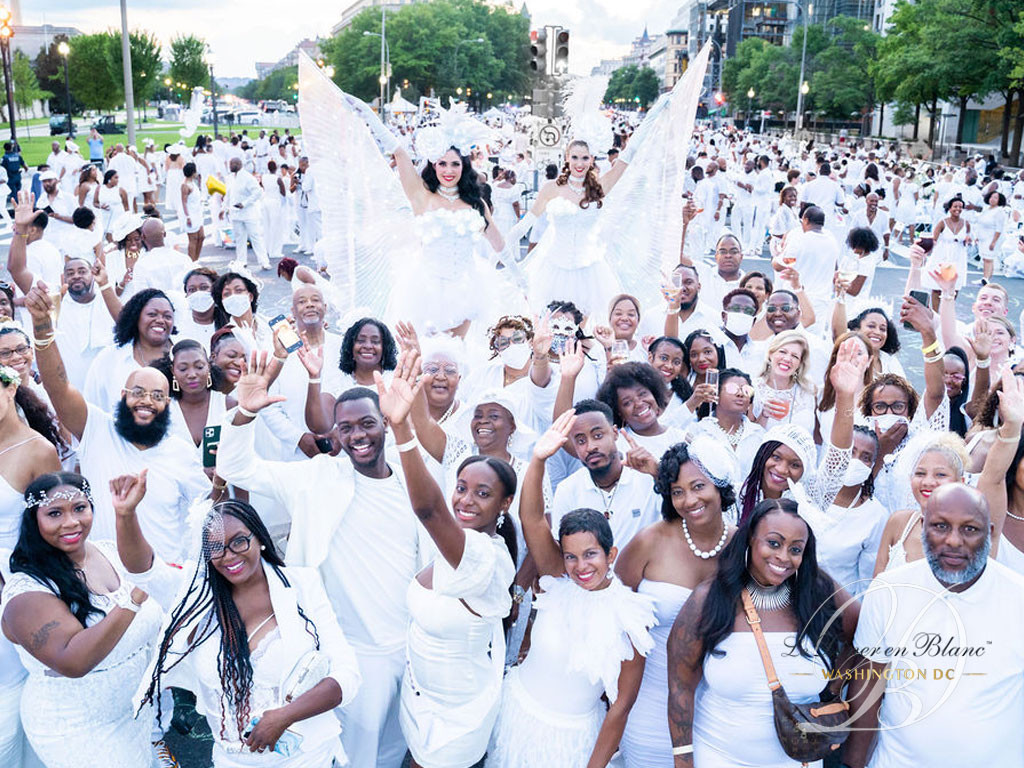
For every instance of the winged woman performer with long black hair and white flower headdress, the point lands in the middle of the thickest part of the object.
(393, 254)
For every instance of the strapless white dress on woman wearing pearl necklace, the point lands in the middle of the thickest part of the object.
(646, 742)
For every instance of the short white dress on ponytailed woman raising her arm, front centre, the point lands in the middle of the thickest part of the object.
(455, 659)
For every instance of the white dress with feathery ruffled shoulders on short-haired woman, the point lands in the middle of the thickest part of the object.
(551, 710)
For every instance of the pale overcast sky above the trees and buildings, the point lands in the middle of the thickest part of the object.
(246, 31)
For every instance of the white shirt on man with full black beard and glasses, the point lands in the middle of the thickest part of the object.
(175, 481)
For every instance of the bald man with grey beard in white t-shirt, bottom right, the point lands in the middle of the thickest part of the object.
(944, 638)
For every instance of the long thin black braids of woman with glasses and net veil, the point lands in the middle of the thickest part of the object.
(207, 609)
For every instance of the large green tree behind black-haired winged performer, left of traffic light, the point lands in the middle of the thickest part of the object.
(434, 47)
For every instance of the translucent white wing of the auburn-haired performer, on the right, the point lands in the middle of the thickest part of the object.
(643, 222)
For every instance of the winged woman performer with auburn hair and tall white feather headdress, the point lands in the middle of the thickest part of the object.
(593, 249)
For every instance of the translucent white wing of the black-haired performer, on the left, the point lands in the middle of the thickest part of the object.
(366, 217)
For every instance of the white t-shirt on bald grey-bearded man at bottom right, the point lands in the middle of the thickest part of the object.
(909, 609)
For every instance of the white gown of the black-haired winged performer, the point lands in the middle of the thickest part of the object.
(450, 282)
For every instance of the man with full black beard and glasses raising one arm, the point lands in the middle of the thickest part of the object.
(136, 438)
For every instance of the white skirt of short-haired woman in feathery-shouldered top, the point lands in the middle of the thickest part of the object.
(531, 736)
